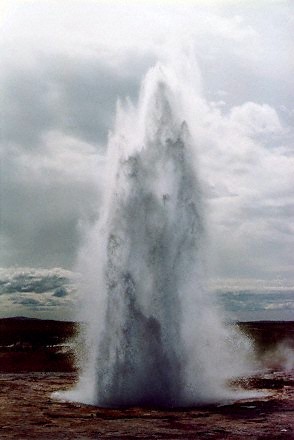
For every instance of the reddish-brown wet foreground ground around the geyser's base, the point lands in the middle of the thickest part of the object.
(28, 411)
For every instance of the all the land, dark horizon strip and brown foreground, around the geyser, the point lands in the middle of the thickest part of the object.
(29, 411)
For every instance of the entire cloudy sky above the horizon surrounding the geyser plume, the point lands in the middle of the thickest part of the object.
(64, 65)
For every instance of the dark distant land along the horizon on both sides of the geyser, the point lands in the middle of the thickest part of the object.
(29, 344)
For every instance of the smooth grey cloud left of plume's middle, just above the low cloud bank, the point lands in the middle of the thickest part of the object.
(41, 221)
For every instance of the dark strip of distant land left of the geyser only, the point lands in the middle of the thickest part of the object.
(32, 345)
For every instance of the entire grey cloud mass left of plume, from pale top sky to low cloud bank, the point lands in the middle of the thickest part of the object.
(44, 197)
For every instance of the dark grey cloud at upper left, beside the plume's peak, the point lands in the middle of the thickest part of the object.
(72, 94)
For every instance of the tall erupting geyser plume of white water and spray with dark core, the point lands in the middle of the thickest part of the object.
(153, 335)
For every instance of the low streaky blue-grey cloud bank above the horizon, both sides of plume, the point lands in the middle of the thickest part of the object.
(56, 294)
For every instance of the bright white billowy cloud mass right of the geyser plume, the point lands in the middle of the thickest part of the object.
(249, 183)
